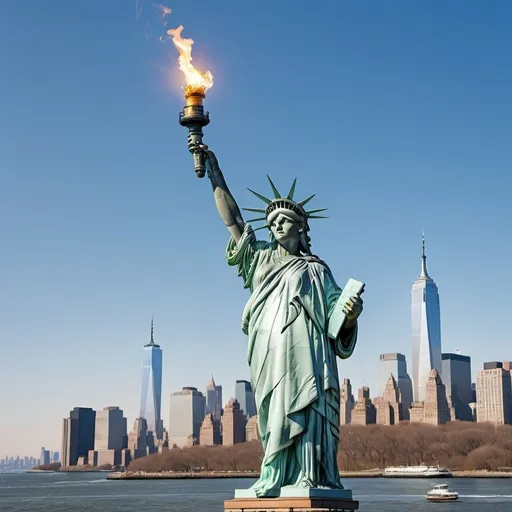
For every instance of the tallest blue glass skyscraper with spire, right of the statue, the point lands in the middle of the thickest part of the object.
(426, 330)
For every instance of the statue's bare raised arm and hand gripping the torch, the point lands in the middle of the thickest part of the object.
(226, 205)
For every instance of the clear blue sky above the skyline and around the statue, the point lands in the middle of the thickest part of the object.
(397, 114)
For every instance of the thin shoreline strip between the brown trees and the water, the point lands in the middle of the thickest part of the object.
(139, 475)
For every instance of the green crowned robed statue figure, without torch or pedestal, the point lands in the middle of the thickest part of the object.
(292, 357)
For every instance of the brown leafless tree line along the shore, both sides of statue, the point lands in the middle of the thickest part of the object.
(456, 445)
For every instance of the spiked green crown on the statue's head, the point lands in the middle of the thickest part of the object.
(285, 205)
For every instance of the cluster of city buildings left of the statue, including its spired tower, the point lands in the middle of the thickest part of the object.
(99, 438)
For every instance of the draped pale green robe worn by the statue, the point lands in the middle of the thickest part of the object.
(293, 362)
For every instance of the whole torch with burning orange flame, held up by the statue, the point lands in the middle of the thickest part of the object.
(193, 117)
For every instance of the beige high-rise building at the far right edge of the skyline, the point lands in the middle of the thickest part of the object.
(494, 394)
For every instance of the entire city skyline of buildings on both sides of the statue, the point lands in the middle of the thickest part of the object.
(438, 390)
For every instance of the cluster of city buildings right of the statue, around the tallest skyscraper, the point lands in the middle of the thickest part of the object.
(440, 389)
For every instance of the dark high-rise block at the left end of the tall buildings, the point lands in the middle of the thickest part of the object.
(77, 435)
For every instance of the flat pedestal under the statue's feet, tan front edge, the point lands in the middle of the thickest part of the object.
(293, 500)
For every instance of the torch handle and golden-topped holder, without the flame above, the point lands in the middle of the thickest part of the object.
(194, 117)
